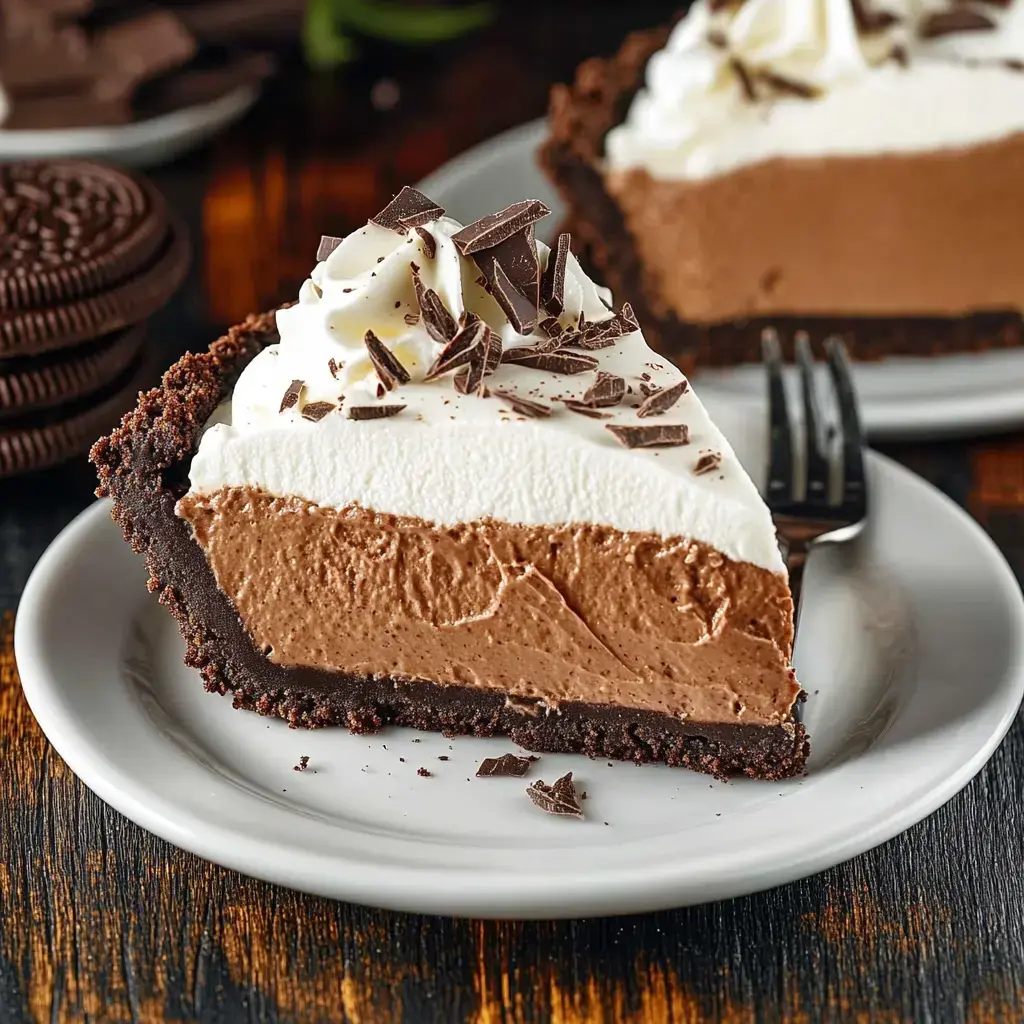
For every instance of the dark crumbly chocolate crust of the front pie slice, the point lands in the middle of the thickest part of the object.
(144, 466)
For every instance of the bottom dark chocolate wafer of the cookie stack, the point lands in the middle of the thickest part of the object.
(42, 440)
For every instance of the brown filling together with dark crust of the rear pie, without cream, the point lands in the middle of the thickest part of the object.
(745, 251)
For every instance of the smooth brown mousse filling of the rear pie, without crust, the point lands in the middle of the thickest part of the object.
(894, 235)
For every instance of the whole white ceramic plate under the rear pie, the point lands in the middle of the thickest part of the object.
(901, 398)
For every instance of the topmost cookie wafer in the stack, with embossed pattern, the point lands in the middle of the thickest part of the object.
(70, 229)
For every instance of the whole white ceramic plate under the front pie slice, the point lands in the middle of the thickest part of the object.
(912, 647)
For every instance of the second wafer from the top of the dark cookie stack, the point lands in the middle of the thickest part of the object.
(122, 305)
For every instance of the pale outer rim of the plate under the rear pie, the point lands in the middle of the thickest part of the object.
(889, 419)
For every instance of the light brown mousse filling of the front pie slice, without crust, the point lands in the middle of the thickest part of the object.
(551, 614)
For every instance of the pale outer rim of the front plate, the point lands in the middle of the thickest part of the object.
(417, 889)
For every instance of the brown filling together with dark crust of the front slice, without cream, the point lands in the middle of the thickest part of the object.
(342, 667)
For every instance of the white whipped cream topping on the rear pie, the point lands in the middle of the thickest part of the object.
(825, 87)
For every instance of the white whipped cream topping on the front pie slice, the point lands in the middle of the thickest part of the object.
(450, 458)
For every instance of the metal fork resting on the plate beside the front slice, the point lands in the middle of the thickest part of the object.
(817, 493)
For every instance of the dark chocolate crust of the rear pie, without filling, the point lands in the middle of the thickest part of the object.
(580, 117)
